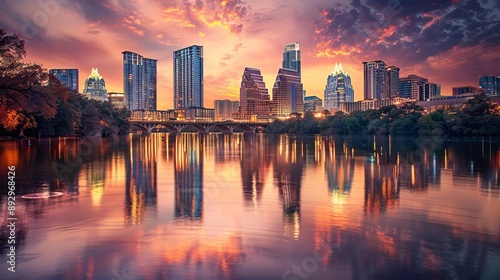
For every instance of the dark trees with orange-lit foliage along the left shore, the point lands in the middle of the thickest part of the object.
(32, 102)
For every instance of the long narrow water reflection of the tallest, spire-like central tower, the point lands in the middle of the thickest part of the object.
(288, 167)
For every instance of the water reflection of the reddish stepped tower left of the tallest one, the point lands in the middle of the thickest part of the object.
(254, 166)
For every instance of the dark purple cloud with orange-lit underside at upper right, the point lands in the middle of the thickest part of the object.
(415, 30)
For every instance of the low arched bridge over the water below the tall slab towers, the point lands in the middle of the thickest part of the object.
(202, 126)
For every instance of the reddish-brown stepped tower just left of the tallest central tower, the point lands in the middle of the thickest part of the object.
(254, 96)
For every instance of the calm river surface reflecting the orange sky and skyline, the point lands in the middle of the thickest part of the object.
(254, 207)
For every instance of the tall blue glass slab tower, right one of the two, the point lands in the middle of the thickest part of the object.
(188, 77)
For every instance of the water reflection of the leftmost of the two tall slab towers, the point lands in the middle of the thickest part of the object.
(141, 168)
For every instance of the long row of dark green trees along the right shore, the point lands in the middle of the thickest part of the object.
(478, 116)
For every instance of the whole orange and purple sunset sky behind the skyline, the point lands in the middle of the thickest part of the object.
(450, 42)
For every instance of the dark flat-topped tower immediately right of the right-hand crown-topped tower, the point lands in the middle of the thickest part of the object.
(375, 80)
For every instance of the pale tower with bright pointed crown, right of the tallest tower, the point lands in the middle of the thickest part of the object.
(338, 88)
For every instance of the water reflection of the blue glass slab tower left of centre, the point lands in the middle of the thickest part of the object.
(188, 165)
